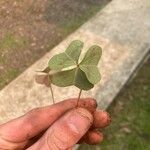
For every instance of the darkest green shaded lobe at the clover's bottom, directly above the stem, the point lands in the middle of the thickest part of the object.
(81, 80)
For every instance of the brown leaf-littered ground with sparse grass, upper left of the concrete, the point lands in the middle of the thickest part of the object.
(31, 28)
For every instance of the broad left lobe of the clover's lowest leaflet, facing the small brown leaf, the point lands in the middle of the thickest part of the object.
(63, 78)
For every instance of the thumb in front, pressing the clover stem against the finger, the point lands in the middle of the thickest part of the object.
(66, 132)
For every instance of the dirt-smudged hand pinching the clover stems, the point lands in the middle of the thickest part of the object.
(59, 126)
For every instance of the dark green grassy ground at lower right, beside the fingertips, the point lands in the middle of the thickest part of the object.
(130, 127)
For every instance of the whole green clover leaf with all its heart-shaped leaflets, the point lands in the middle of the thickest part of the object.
(84, 75)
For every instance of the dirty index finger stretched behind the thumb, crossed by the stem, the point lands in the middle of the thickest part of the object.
(39, 119)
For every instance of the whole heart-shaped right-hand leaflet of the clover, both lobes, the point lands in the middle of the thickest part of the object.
(89, 64)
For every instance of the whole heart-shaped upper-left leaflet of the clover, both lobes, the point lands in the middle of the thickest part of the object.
(68, 58)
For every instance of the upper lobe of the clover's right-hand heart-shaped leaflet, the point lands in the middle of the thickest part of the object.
(92, 56)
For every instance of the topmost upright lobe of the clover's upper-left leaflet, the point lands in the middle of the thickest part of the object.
(74, 50)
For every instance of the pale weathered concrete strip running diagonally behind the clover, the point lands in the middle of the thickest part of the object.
(122, 29)
